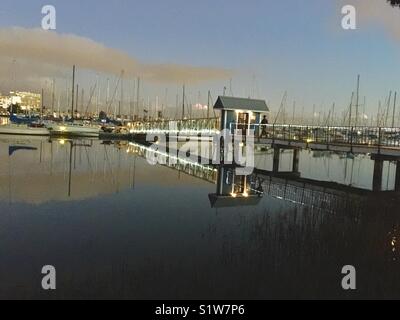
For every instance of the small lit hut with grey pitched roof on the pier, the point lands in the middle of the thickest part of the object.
(241, 113)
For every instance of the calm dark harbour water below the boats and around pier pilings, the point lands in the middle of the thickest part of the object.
(116, 227)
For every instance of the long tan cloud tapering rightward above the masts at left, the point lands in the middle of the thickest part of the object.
(43, 51)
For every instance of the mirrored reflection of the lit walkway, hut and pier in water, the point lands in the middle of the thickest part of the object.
(233, 190)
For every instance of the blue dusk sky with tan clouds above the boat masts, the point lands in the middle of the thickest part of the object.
(253, 48)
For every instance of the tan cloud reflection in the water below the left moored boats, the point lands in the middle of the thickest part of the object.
(38, 170)
